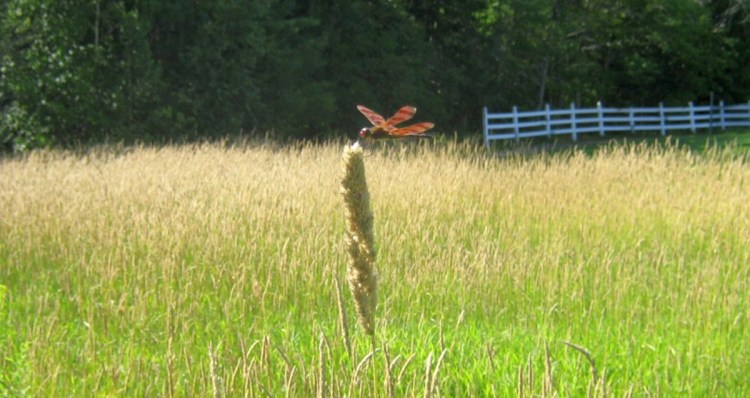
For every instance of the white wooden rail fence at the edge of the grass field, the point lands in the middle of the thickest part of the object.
(574, 121)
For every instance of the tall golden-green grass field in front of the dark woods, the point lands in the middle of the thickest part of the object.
(210, 270)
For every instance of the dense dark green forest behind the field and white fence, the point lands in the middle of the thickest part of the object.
(82, 71)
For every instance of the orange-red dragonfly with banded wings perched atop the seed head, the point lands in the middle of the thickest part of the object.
(382, 128)
